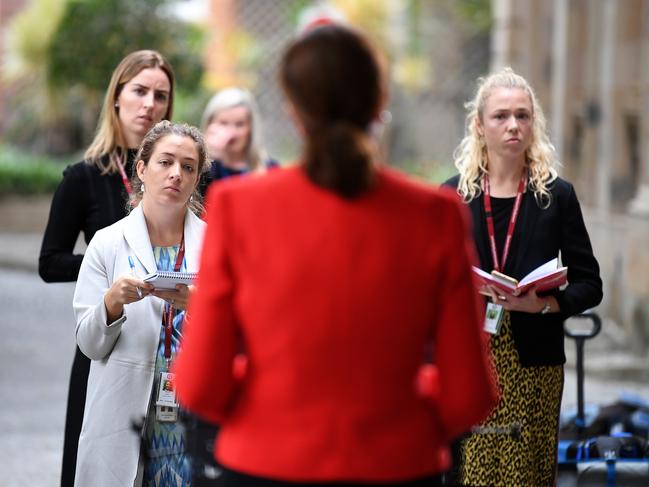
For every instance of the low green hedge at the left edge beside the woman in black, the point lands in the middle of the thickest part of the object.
(24, 173)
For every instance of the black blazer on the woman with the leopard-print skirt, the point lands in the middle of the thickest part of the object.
(540, 235)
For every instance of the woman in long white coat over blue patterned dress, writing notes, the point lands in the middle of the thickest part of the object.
(130, 330)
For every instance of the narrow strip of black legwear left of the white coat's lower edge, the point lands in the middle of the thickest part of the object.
(74, 416)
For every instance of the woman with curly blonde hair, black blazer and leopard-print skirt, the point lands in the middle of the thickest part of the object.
(524, 215)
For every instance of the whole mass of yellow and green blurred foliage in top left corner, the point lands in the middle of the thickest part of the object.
(60, 55)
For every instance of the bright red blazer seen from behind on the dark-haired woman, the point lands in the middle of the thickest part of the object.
(336, 305)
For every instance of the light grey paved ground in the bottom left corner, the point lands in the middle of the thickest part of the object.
(35, 356)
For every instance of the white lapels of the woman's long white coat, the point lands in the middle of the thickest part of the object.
(136, 235)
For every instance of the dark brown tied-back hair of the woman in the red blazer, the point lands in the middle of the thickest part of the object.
(333, 77)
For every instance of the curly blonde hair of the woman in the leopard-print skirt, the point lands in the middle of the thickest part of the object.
(471, 159)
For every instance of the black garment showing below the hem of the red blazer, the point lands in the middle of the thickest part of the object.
(231, 478)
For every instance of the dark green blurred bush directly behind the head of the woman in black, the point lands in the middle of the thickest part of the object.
(94, 35)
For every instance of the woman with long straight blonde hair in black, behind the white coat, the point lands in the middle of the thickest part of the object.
(94, 193)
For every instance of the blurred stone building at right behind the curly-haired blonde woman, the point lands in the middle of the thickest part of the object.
(589, 61)
